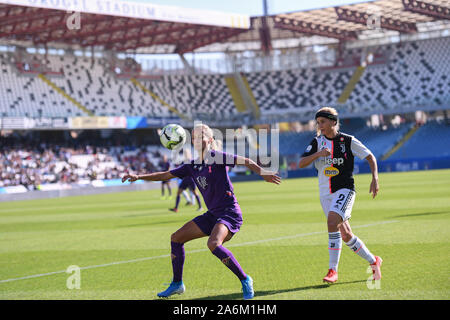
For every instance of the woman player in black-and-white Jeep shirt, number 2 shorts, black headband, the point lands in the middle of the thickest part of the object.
(332, 153)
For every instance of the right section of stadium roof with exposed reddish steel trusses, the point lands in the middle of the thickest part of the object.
(345, 23)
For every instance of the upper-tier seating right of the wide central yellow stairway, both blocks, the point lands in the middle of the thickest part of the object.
(413, 76)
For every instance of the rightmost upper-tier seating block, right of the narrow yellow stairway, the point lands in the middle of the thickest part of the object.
(415, 75)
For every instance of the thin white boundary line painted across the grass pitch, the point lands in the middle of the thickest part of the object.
(192, 251)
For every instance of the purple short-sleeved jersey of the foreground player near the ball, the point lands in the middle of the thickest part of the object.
(211, 178)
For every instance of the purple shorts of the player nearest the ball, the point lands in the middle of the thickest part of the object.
(230, 218)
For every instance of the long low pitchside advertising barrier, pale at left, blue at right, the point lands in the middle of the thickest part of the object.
(115, 185)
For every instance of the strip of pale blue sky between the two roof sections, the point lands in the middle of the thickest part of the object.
(251, 7)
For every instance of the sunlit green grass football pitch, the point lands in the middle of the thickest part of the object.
(121, 243)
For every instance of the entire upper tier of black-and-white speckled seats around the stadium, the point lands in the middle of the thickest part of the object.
(414, 76)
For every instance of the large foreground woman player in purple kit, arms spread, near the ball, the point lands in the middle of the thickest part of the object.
(224, 216)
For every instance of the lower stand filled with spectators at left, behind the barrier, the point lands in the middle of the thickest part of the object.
(33, 163)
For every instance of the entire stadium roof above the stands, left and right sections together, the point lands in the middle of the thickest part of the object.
(122, 26)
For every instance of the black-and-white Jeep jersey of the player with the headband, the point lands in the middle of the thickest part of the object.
(336, 171)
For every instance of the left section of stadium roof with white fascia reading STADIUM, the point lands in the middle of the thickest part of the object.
(115, 25)
